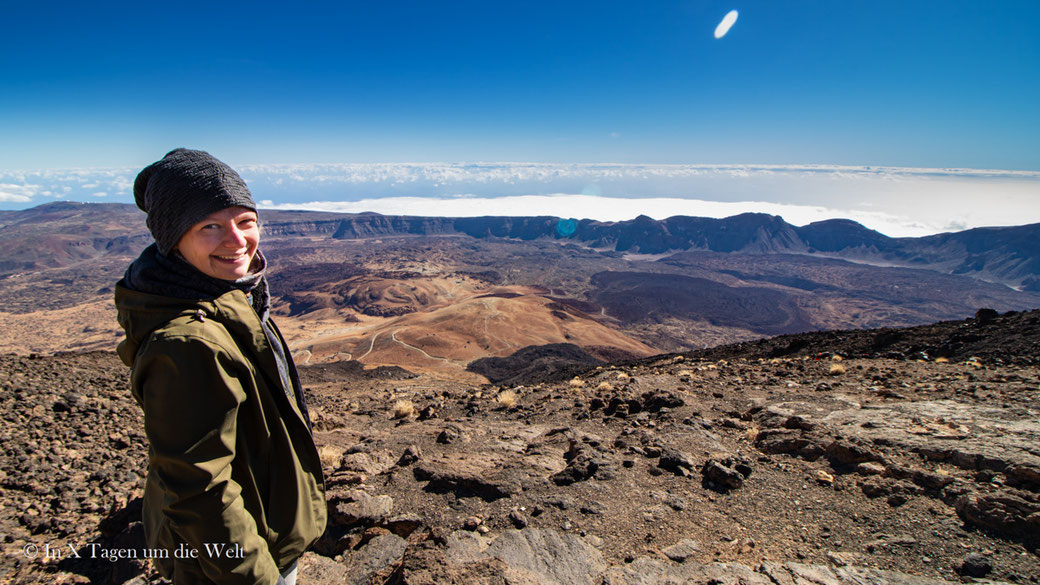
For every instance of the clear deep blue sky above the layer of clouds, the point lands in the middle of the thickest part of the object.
(891, 84)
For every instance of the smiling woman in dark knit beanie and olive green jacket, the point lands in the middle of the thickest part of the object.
(235, 491)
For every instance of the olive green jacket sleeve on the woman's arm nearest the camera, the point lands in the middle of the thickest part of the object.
(191, 393)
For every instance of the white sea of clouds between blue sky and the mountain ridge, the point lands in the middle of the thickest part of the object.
(895, 201)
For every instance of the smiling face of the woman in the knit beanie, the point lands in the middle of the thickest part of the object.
(224, 244)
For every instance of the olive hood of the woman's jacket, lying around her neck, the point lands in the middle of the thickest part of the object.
(142, 314)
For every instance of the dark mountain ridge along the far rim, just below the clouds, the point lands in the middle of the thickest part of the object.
(1007, 256)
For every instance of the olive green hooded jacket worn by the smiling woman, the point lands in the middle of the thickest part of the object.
(233, 471)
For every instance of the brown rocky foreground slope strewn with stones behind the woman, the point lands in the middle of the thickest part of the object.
(822, 465)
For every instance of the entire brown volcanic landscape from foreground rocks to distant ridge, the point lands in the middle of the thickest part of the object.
(503, 405)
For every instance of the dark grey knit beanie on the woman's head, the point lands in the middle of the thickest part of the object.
(185, 188)
